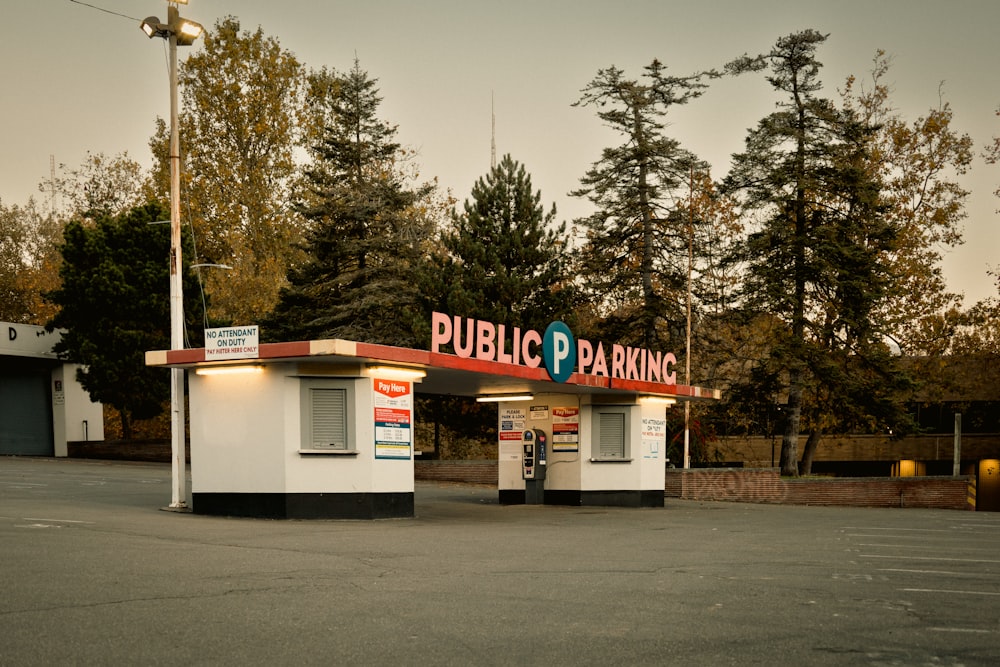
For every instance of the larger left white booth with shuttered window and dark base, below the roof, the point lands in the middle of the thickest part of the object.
(262, 444)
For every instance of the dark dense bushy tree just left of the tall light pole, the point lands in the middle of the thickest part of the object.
(114, 305)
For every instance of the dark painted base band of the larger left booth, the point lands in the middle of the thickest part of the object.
(305, 505)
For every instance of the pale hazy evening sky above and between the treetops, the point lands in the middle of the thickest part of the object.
(78, 79)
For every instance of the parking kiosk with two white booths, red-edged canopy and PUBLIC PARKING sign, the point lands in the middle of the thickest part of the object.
(324, 429)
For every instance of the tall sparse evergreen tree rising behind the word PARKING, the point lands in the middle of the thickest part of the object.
(634, 261)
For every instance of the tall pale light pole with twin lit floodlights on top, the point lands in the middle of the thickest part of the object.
(178, 32)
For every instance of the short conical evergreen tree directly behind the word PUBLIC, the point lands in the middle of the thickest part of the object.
(505, 258)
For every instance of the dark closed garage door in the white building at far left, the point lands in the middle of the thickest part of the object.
(25, 414)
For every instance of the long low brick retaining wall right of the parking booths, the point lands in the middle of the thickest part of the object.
(767, 486)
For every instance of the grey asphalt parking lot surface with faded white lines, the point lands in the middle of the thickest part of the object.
(92, 571)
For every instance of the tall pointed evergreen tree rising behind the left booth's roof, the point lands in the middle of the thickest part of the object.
(366, 234)
